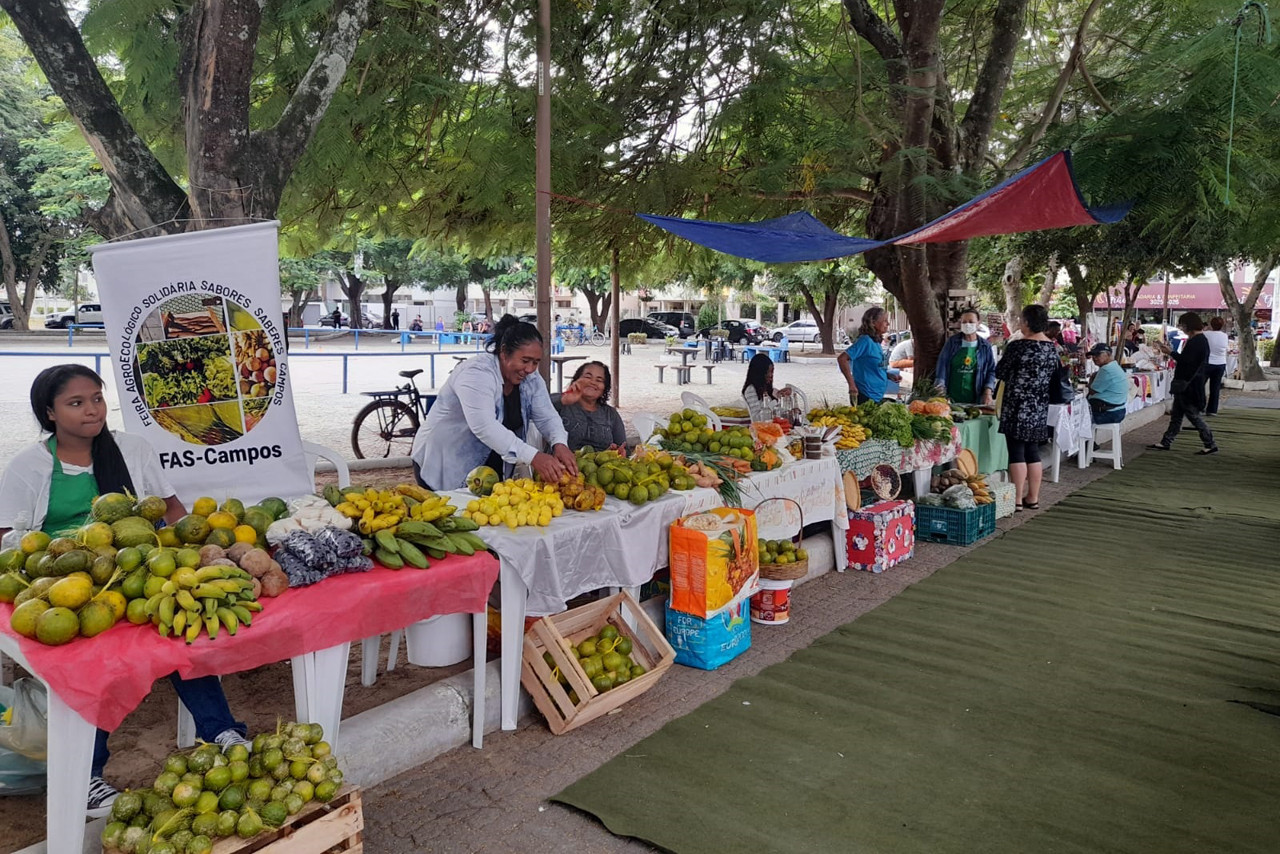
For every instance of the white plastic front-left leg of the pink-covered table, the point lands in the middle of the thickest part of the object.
(71, 759)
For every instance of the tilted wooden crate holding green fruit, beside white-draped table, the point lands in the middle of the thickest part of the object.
(555, 634)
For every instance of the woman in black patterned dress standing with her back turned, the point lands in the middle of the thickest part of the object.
(1027, 368)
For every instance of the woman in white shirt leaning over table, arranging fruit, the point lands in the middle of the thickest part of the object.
(483, 410)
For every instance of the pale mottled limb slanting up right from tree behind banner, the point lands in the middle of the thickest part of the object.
(284, 145)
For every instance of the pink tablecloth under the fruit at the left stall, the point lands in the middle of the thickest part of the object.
(106, 678)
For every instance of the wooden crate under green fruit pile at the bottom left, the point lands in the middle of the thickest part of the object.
(318, 829)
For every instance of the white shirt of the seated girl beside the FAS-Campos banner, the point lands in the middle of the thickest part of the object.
(25, 486)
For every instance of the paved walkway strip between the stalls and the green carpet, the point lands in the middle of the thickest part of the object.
(496, 800)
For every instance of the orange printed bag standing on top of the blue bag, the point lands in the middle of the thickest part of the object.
(715, 558)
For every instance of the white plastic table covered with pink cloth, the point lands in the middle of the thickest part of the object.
(97, 683)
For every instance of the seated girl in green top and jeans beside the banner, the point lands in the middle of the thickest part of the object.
(51, 487)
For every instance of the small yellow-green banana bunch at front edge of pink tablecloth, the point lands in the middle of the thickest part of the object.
(211, 599)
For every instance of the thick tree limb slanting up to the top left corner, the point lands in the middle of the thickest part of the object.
(144, 193)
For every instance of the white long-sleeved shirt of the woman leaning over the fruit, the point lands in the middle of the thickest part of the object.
(467, 422)
